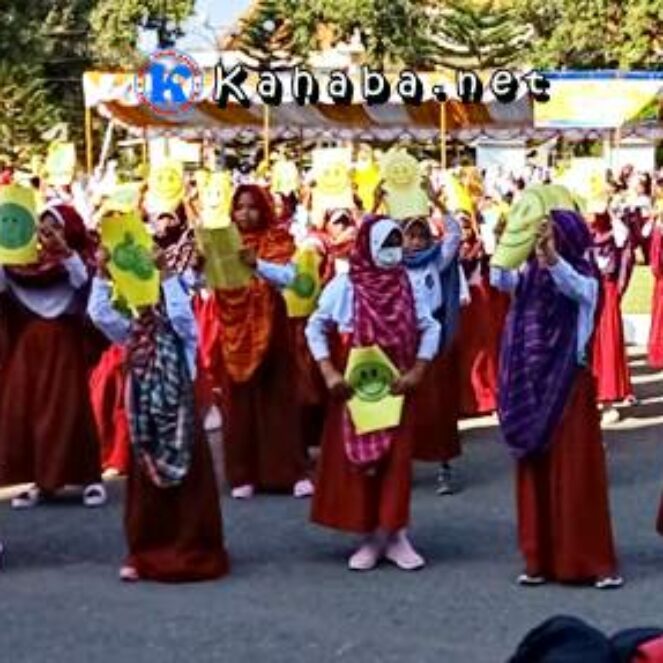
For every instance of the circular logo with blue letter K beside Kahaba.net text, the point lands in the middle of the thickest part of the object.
(170, 83)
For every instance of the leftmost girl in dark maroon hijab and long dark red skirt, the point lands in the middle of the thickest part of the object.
(47, 432)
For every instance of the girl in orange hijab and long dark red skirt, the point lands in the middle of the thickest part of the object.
(263, 450)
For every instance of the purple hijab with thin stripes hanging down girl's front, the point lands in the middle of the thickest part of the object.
(538, 361)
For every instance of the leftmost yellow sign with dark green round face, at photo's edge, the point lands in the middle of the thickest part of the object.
(18, 225)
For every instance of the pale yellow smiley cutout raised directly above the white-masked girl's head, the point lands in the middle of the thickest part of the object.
(402, 183)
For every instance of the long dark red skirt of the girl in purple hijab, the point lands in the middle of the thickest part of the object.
(564, 525)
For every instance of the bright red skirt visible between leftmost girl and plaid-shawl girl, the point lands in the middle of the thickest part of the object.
(107, 391)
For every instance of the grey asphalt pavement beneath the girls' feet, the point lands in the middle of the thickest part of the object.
(290, 599)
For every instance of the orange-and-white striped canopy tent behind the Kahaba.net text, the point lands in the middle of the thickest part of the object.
(115, 97)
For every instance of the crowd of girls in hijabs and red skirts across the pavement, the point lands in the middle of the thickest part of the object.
(88, 387)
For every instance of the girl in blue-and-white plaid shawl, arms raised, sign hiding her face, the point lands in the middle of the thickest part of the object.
(172, 516)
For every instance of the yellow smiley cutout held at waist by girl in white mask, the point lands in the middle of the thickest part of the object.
(370, 373)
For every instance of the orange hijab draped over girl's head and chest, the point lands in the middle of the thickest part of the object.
(247, 314)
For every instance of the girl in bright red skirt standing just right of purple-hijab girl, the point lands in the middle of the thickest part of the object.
(613, 256)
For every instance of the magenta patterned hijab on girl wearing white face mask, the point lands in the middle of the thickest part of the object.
(384, 315)
